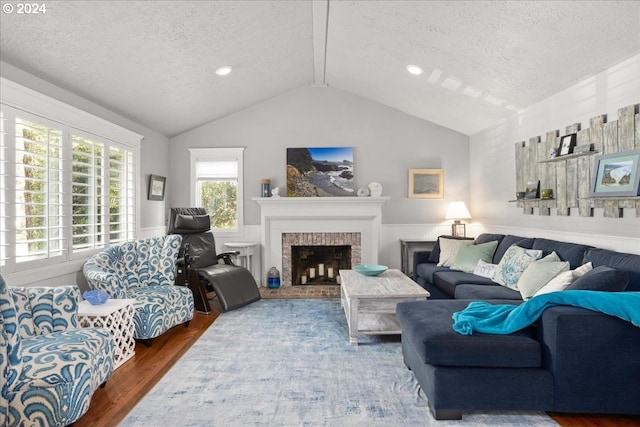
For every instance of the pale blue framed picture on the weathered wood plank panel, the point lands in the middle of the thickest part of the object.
(617, 175)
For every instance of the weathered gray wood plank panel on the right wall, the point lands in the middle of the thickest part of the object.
(570, 176)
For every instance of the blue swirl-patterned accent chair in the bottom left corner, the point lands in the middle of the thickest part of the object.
(50, 367)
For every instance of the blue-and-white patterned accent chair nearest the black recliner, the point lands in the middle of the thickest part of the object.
(144, 270)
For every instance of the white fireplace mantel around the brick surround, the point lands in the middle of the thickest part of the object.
(280, 215)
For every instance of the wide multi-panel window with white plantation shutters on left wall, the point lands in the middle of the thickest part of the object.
(63, 191)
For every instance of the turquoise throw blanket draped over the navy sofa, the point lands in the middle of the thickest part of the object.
(505, 319)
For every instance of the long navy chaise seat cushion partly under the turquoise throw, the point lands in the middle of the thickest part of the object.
(427, 325)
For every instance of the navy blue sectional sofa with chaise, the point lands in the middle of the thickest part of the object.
(570, 360)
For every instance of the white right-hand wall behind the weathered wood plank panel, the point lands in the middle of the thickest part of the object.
(492, 168)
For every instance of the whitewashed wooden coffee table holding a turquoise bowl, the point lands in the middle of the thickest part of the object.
(370, 301)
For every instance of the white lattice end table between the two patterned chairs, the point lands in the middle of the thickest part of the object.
(116, 315)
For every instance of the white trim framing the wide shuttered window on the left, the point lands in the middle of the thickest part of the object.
(16, 100)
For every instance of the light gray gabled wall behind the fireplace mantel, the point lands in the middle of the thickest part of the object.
(386, 144)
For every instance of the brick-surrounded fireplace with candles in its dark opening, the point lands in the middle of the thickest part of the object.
(316, 258)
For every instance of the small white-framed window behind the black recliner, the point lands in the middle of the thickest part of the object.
(216, 180)
